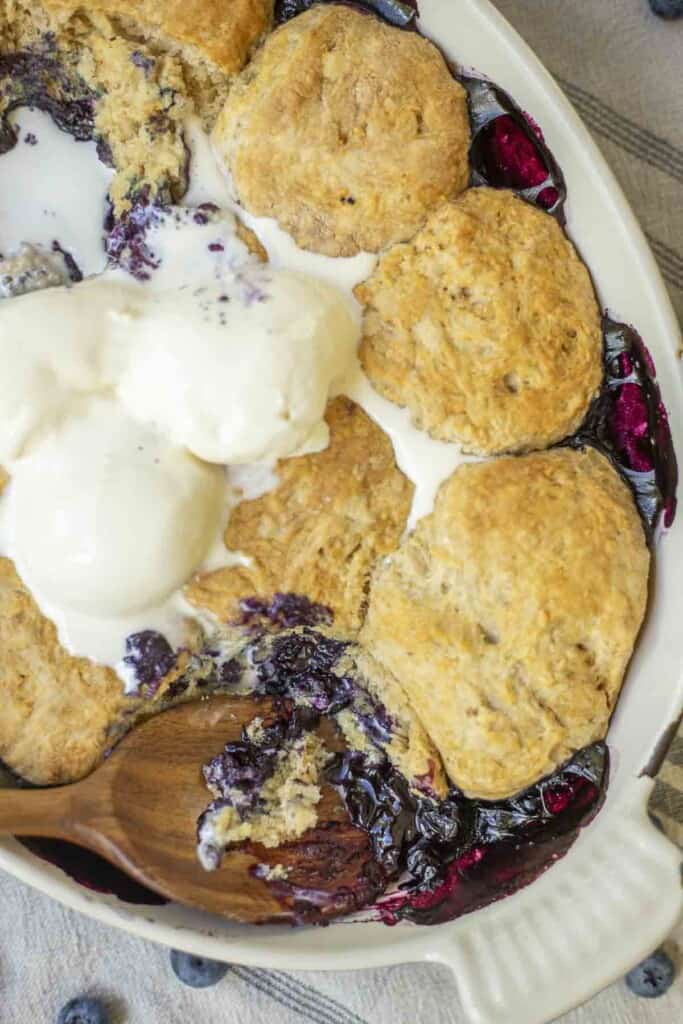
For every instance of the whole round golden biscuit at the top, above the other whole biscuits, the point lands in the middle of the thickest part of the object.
(347, 131)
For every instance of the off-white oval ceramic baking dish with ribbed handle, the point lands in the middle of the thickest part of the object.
(618, 893)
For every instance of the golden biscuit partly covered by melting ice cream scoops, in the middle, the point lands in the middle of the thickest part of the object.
(321, 531)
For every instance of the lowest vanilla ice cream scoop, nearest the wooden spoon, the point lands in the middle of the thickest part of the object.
(108, 519)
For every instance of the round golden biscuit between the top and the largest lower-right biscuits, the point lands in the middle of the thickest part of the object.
(486, 326)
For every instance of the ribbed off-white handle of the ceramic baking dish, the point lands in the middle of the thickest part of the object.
(582, 926)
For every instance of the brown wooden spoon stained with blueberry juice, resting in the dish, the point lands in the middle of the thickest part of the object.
(140, 809)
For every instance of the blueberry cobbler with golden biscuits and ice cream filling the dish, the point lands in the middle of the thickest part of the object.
(308, 396)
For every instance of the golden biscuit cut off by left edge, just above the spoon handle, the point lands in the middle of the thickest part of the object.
(56, 710)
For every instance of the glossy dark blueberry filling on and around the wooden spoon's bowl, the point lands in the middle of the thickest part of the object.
(454, 855)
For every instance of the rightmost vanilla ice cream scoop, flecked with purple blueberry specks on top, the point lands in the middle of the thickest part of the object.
(240, 371)
